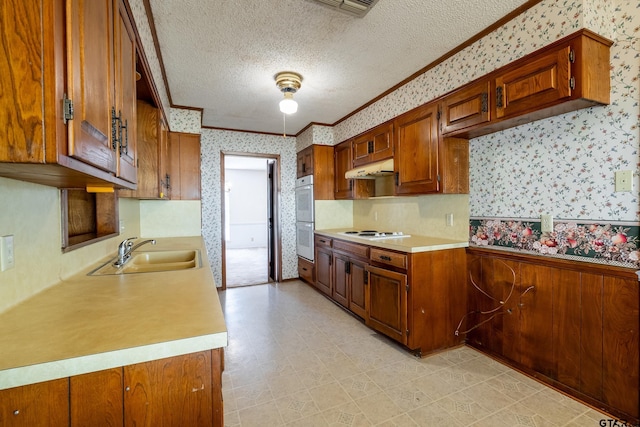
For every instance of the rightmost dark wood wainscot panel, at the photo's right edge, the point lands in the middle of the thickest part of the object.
(620, 345)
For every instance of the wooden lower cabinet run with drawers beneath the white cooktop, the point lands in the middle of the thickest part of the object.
(416, 299)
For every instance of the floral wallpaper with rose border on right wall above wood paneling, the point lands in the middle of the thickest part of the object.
(565, 166)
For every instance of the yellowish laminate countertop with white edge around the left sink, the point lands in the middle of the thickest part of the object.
(90, 323)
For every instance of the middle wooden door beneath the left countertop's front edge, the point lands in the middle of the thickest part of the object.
(96, 398)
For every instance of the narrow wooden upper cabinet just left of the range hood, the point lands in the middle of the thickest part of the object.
(345, 189)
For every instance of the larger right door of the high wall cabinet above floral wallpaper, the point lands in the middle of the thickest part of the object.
(541, 81)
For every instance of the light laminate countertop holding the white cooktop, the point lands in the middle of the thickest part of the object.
(412, 244)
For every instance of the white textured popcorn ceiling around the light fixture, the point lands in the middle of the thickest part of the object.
(222, 55)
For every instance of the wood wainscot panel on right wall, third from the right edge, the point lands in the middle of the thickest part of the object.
(566, 318)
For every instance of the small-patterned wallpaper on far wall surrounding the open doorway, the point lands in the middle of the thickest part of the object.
(212, 143)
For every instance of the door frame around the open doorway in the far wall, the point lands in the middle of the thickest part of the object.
(277, 197)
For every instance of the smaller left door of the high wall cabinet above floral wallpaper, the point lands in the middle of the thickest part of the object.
(468, 106)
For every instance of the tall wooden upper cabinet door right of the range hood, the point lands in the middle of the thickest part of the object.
(416, 151)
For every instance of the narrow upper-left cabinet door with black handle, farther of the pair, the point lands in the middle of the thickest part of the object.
(125, 91)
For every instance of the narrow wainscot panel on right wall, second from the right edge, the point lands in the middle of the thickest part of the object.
(591, 335)
